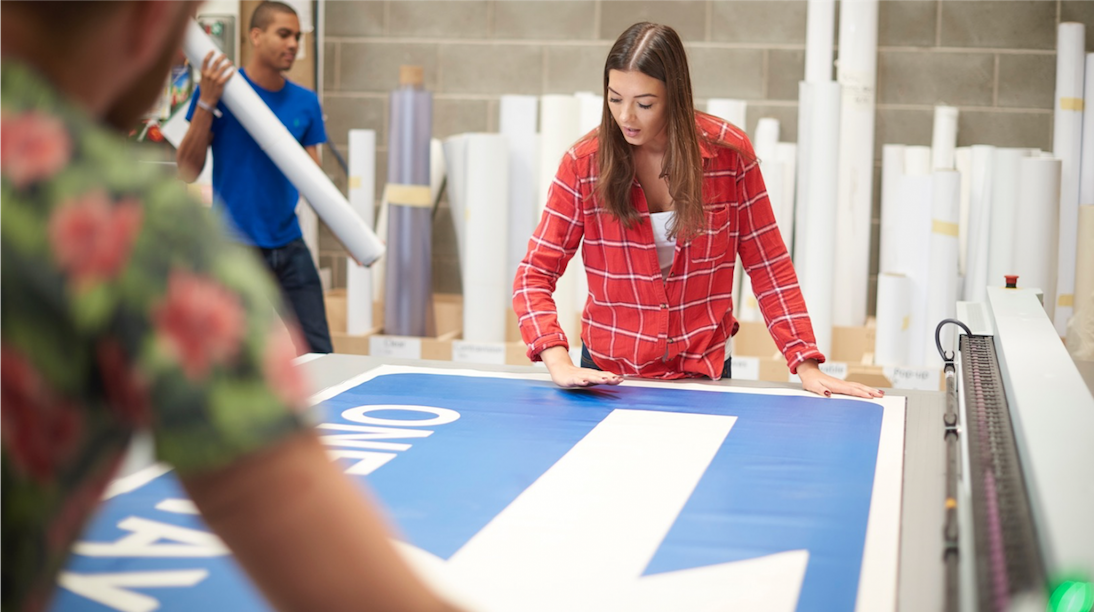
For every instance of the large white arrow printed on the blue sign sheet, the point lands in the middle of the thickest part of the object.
(583, 535)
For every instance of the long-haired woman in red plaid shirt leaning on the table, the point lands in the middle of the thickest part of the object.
(661, 200)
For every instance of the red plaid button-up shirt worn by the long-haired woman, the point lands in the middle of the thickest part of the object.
(637, 324)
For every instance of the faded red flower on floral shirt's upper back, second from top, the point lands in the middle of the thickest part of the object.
(92, 238)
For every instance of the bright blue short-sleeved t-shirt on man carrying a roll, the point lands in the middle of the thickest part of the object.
(260, 201)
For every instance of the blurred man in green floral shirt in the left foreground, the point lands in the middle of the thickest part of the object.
(122, 308)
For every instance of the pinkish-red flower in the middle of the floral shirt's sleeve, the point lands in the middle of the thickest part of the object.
(200, 322)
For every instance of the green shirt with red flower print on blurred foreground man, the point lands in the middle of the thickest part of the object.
(122, 308)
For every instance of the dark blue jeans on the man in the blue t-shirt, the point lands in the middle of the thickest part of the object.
(300, 285)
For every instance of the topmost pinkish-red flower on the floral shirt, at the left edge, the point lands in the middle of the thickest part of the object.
(33, 146)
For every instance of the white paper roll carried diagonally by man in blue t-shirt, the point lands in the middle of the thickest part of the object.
(290, 158)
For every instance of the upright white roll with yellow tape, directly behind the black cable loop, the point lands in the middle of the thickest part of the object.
(942, 262)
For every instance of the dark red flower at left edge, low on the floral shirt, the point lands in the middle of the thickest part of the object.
(40, 430)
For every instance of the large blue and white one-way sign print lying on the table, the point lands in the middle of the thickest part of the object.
(472, 467)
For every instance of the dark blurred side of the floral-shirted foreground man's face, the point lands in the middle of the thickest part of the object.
(147, 87)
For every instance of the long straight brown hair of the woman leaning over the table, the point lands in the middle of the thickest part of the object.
(657, 52)
